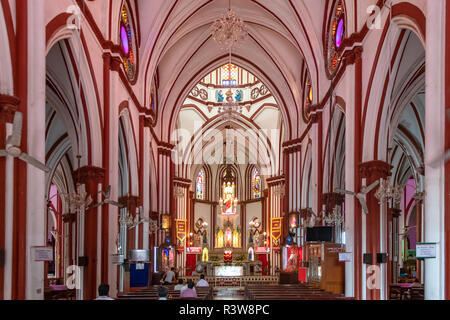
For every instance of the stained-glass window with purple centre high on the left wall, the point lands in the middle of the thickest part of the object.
(128, 43)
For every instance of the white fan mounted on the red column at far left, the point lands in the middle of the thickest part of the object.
(13, 145)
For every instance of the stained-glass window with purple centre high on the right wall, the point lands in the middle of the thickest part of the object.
(336, 38)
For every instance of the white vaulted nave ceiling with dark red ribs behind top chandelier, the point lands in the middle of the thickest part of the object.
(177, 47)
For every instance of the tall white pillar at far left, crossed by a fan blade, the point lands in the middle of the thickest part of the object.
(36, 213)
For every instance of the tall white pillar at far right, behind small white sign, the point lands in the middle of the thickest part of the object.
(434, 142)
